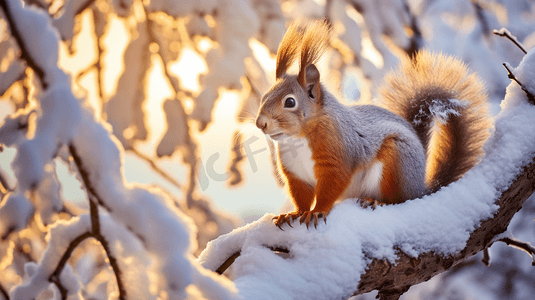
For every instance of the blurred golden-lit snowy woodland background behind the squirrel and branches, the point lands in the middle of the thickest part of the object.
(180, 83)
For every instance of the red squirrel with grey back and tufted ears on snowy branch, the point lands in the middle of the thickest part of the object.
(426, 132)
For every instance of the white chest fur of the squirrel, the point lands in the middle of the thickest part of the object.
(296, 156)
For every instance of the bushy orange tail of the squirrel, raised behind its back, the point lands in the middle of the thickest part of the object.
(447, 106)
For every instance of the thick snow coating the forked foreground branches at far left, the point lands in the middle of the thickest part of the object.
(134, 217)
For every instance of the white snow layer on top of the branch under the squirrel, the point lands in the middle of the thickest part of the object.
(327, 262)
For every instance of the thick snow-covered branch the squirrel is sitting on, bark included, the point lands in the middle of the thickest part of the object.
(391, 248)
